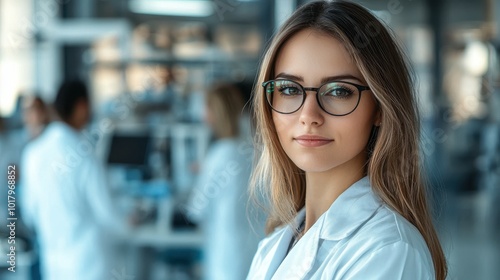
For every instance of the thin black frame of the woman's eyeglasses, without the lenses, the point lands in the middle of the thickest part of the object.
(304, 89)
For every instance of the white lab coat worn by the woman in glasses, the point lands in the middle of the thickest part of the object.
(358, 237)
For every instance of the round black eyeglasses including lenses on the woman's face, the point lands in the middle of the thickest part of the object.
(336, 98)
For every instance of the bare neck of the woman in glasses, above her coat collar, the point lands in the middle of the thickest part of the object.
(323, 188)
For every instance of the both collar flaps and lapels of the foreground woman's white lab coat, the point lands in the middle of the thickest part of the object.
(349, 211)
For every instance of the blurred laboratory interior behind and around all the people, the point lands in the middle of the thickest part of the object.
(147, 65)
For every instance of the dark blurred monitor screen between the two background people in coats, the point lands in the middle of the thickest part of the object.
(129, 150)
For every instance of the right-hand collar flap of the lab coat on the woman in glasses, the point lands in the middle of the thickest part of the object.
(349, 211)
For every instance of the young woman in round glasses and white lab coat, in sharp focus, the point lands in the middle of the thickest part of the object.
(338, 131)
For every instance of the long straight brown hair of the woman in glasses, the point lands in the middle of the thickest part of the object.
(394, 164)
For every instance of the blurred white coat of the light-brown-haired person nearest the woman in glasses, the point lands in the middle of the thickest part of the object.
(219, 202)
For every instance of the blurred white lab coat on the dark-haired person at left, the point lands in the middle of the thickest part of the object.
(66, 201)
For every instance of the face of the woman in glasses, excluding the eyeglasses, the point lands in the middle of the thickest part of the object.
(314, 140)
